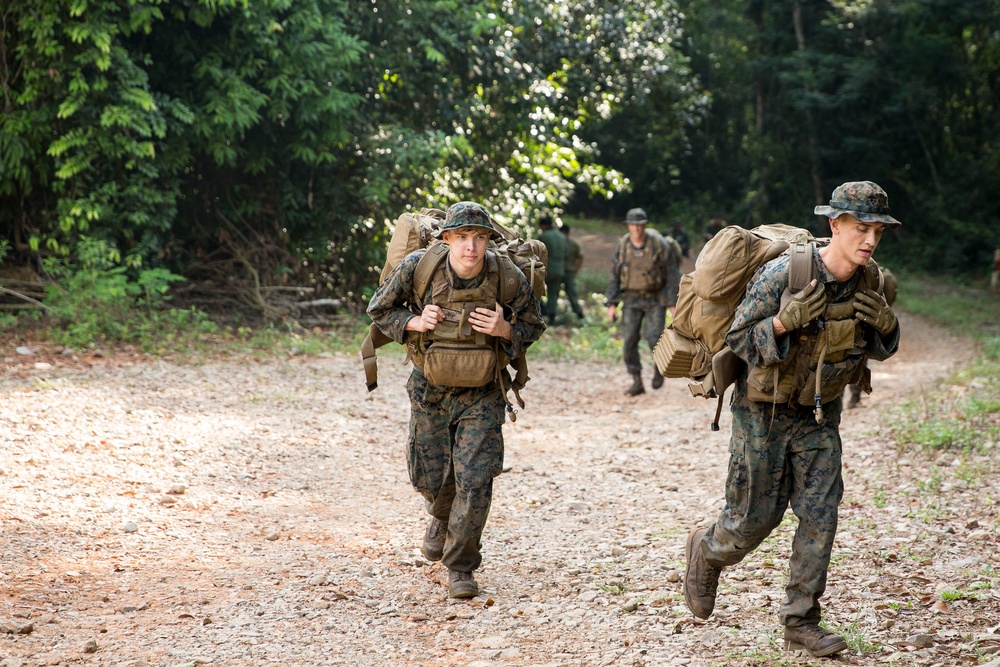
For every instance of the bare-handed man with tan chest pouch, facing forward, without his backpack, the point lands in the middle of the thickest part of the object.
(460, 339)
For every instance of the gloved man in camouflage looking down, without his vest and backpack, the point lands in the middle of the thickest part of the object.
(785, 454)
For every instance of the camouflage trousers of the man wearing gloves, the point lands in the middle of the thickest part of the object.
(780, 456)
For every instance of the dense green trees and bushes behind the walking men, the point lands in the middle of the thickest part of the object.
(254, 147)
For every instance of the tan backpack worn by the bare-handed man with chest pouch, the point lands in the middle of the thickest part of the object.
(515, 256)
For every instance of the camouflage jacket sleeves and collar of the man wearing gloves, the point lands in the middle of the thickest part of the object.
(751, 335)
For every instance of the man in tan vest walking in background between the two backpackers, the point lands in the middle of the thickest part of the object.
(644, 310)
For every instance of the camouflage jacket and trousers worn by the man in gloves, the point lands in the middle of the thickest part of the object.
(780, 455)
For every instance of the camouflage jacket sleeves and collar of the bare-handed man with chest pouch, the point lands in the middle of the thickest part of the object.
(394, 304)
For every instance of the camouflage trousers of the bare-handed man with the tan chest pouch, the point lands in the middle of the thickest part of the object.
(454, 451)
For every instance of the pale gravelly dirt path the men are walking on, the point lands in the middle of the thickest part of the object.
(258, 513)
